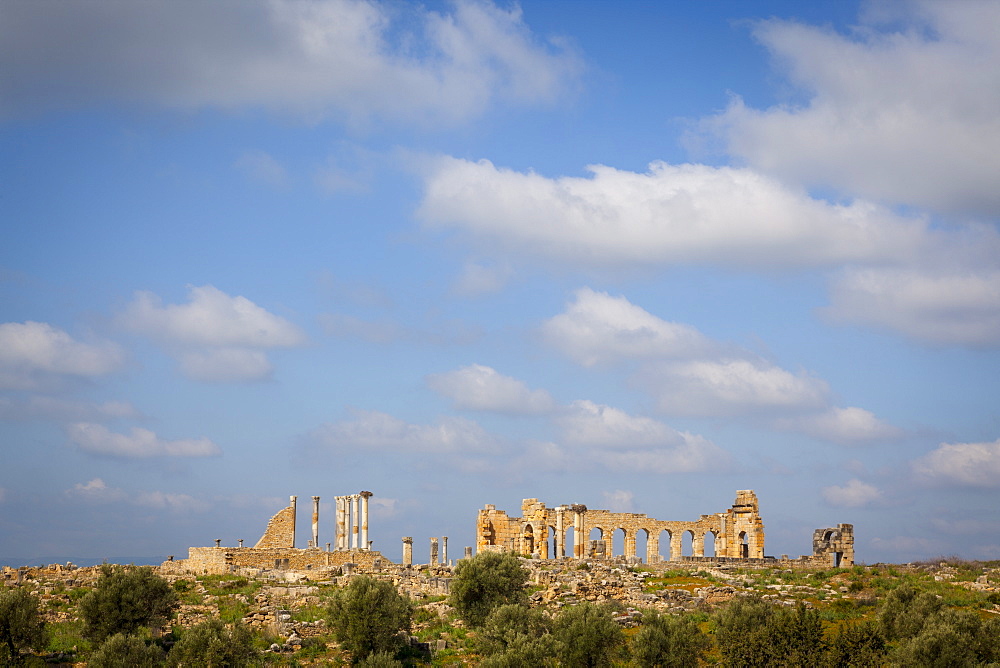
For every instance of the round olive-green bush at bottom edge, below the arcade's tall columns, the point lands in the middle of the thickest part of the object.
(587, 636)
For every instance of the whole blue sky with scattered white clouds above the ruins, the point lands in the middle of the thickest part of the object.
(633, 255)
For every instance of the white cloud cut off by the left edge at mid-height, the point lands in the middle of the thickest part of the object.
(32, 354)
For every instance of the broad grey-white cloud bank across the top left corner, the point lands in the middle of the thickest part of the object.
(349, 59)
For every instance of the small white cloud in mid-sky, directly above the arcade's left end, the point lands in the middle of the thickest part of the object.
(481, 388)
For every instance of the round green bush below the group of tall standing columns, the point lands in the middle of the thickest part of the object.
(367, 617)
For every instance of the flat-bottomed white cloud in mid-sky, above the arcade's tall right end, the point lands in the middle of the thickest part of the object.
(731, 387)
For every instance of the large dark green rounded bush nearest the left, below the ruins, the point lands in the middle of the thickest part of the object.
(125, 600)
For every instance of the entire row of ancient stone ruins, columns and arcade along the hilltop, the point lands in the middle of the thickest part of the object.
(541, 533)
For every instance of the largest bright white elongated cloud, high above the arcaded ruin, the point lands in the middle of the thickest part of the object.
(670, 215)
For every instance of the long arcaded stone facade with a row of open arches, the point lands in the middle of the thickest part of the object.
(545, 532)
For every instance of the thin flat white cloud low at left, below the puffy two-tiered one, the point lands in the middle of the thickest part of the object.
(139, 443)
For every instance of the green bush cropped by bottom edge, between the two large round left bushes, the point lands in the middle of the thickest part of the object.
(214, 644)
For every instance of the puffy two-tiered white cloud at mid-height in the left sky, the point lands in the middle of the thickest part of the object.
(215, 336)
